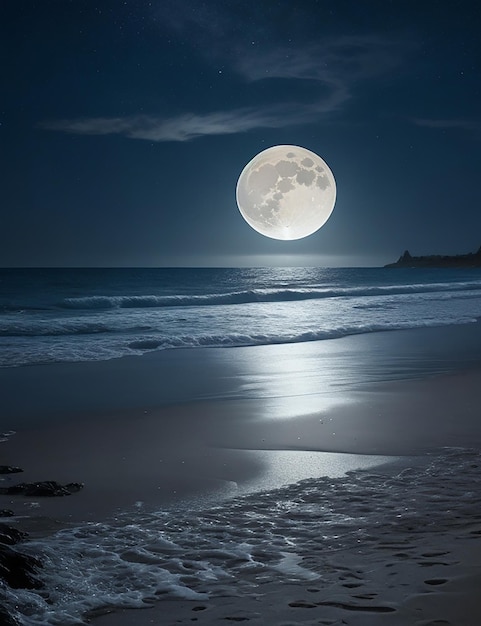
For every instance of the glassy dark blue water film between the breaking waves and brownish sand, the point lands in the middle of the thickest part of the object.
(63, 391)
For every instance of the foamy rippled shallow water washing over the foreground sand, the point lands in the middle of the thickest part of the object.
(321, 531)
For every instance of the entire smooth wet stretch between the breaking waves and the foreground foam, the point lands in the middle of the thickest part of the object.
(208, 423)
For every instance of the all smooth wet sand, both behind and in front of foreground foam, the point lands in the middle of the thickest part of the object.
(200, 426)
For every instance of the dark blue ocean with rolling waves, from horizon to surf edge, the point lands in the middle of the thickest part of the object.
(61, 315)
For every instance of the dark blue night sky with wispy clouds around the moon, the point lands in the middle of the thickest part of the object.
(124, 126)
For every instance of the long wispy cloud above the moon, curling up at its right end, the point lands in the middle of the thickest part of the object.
(334, 68)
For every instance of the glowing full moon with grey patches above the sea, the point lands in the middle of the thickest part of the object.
(286, 192)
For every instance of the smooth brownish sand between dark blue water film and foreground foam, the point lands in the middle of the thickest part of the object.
(148, 458)
